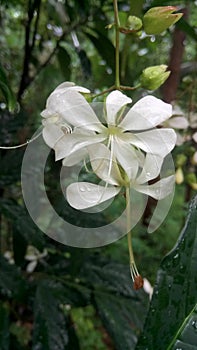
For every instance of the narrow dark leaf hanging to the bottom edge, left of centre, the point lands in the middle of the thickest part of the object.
(50, 331)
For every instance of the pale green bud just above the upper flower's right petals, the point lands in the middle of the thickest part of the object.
(153, 77)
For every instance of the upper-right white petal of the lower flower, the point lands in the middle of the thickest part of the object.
(151, 168)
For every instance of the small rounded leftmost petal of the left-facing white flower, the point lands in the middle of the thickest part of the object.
(51, 134)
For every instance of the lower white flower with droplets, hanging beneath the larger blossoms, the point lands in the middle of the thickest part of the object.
(83, 195)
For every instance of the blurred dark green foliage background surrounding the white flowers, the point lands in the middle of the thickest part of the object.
(75, 298)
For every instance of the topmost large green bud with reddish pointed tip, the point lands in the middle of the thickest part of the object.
(158, 19)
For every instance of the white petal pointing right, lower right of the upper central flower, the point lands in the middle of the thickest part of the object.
(157, 141)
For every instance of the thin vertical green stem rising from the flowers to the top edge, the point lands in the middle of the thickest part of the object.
(117, 45)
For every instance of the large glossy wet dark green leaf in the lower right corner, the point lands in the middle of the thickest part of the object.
(175, 292)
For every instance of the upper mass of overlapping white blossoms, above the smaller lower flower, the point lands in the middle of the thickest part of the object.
(122, 134)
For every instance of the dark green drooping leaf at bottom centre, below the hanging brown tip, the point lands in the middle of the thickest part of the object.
(122, 310)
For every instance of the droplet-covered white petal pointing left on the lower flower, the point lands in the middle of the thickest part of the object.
(83, 195)
